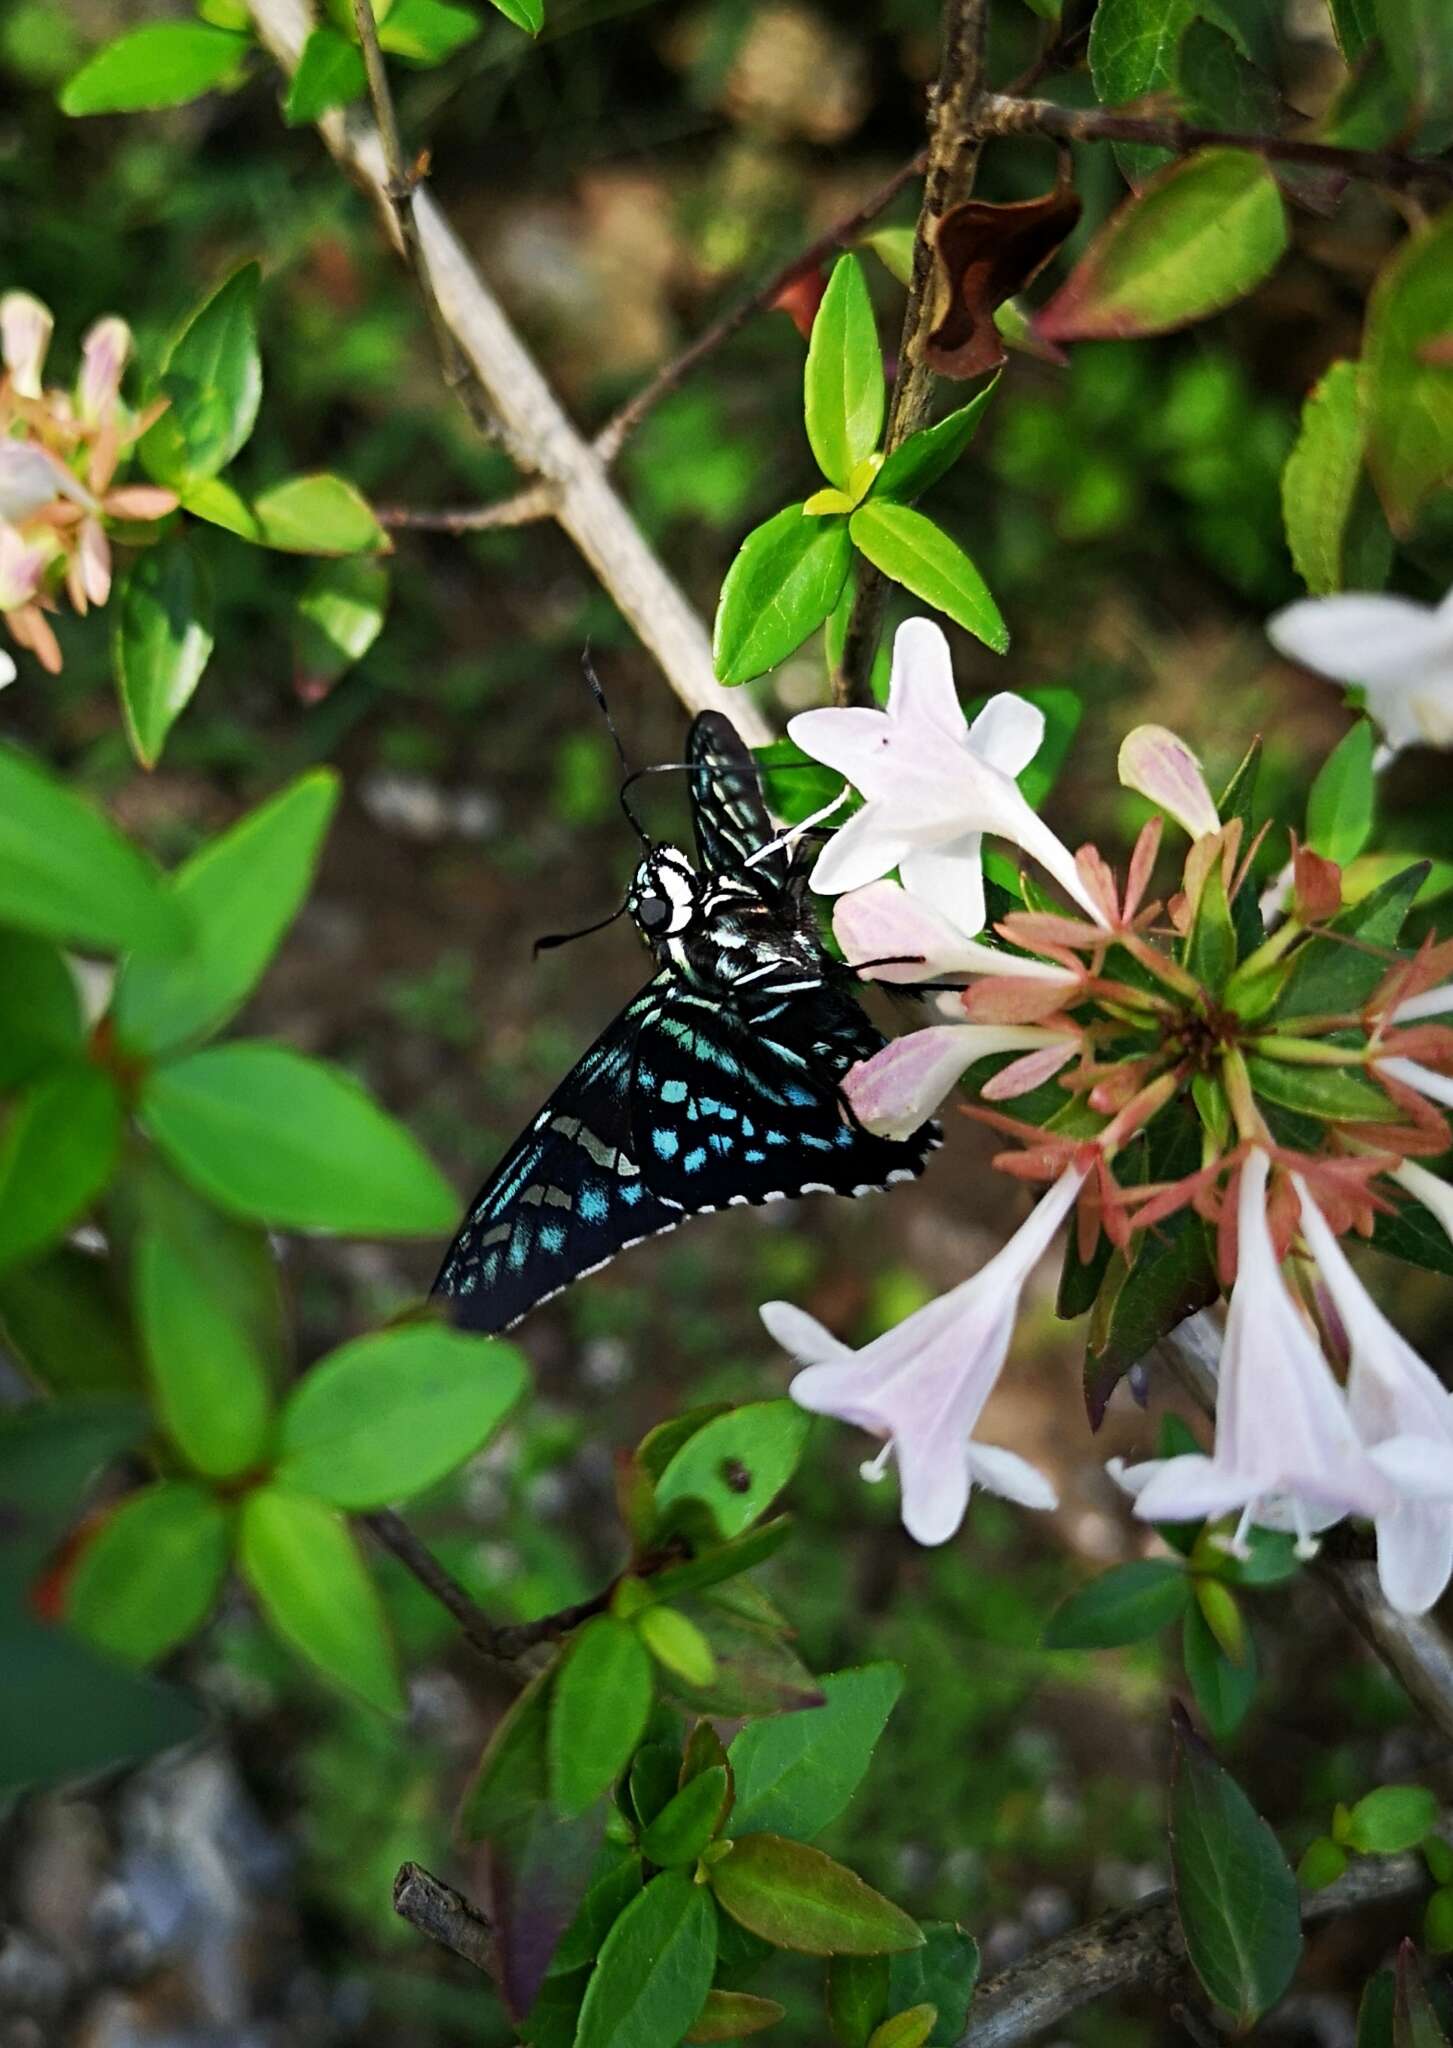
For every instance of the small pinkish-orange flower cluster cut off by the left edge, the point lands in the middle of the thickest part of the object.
(58, 462)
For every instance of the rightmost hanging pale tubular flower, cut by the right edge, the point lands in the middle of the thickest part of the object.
(1405, 1418)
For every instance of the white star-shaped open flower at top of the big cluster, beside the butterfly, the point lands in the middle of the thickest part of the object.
(933, 785)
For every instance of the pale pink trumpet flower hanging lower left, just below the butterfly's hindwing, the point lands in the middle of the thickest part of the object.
(923, 1385)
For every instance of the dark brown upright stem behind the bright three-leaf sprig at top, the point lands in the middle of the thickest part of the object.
(952, 163)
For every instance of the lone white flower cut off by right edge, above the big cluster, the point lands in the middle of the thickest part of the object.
(1397, 650)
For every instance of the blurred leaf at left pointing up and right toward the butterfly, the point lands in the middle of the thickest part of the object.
(239, 894)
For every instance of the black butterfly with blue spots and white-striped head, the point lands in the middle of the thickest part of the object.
(716, 1086)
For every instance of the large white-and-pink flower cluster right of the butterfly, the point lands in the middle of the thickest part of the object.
(1175, 1068)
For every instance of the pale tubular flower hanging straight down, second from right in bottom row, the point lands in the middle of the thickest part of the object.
(1286, 1449)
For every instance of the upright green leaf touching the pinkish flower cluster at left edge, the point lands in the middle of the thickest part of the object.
(212, 382)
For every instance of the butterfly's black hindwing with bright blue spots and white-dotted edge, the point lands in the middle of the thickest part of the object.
(735, 1107)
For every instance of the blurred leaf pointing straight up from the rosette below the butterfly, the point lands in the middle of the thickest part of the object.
(210, 1385)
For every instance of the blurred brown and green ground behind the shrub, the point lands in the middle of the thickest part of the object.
(622, 183)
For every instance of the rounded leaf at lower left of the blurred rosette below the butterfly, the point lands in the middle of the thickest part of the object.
(151, 1574)
